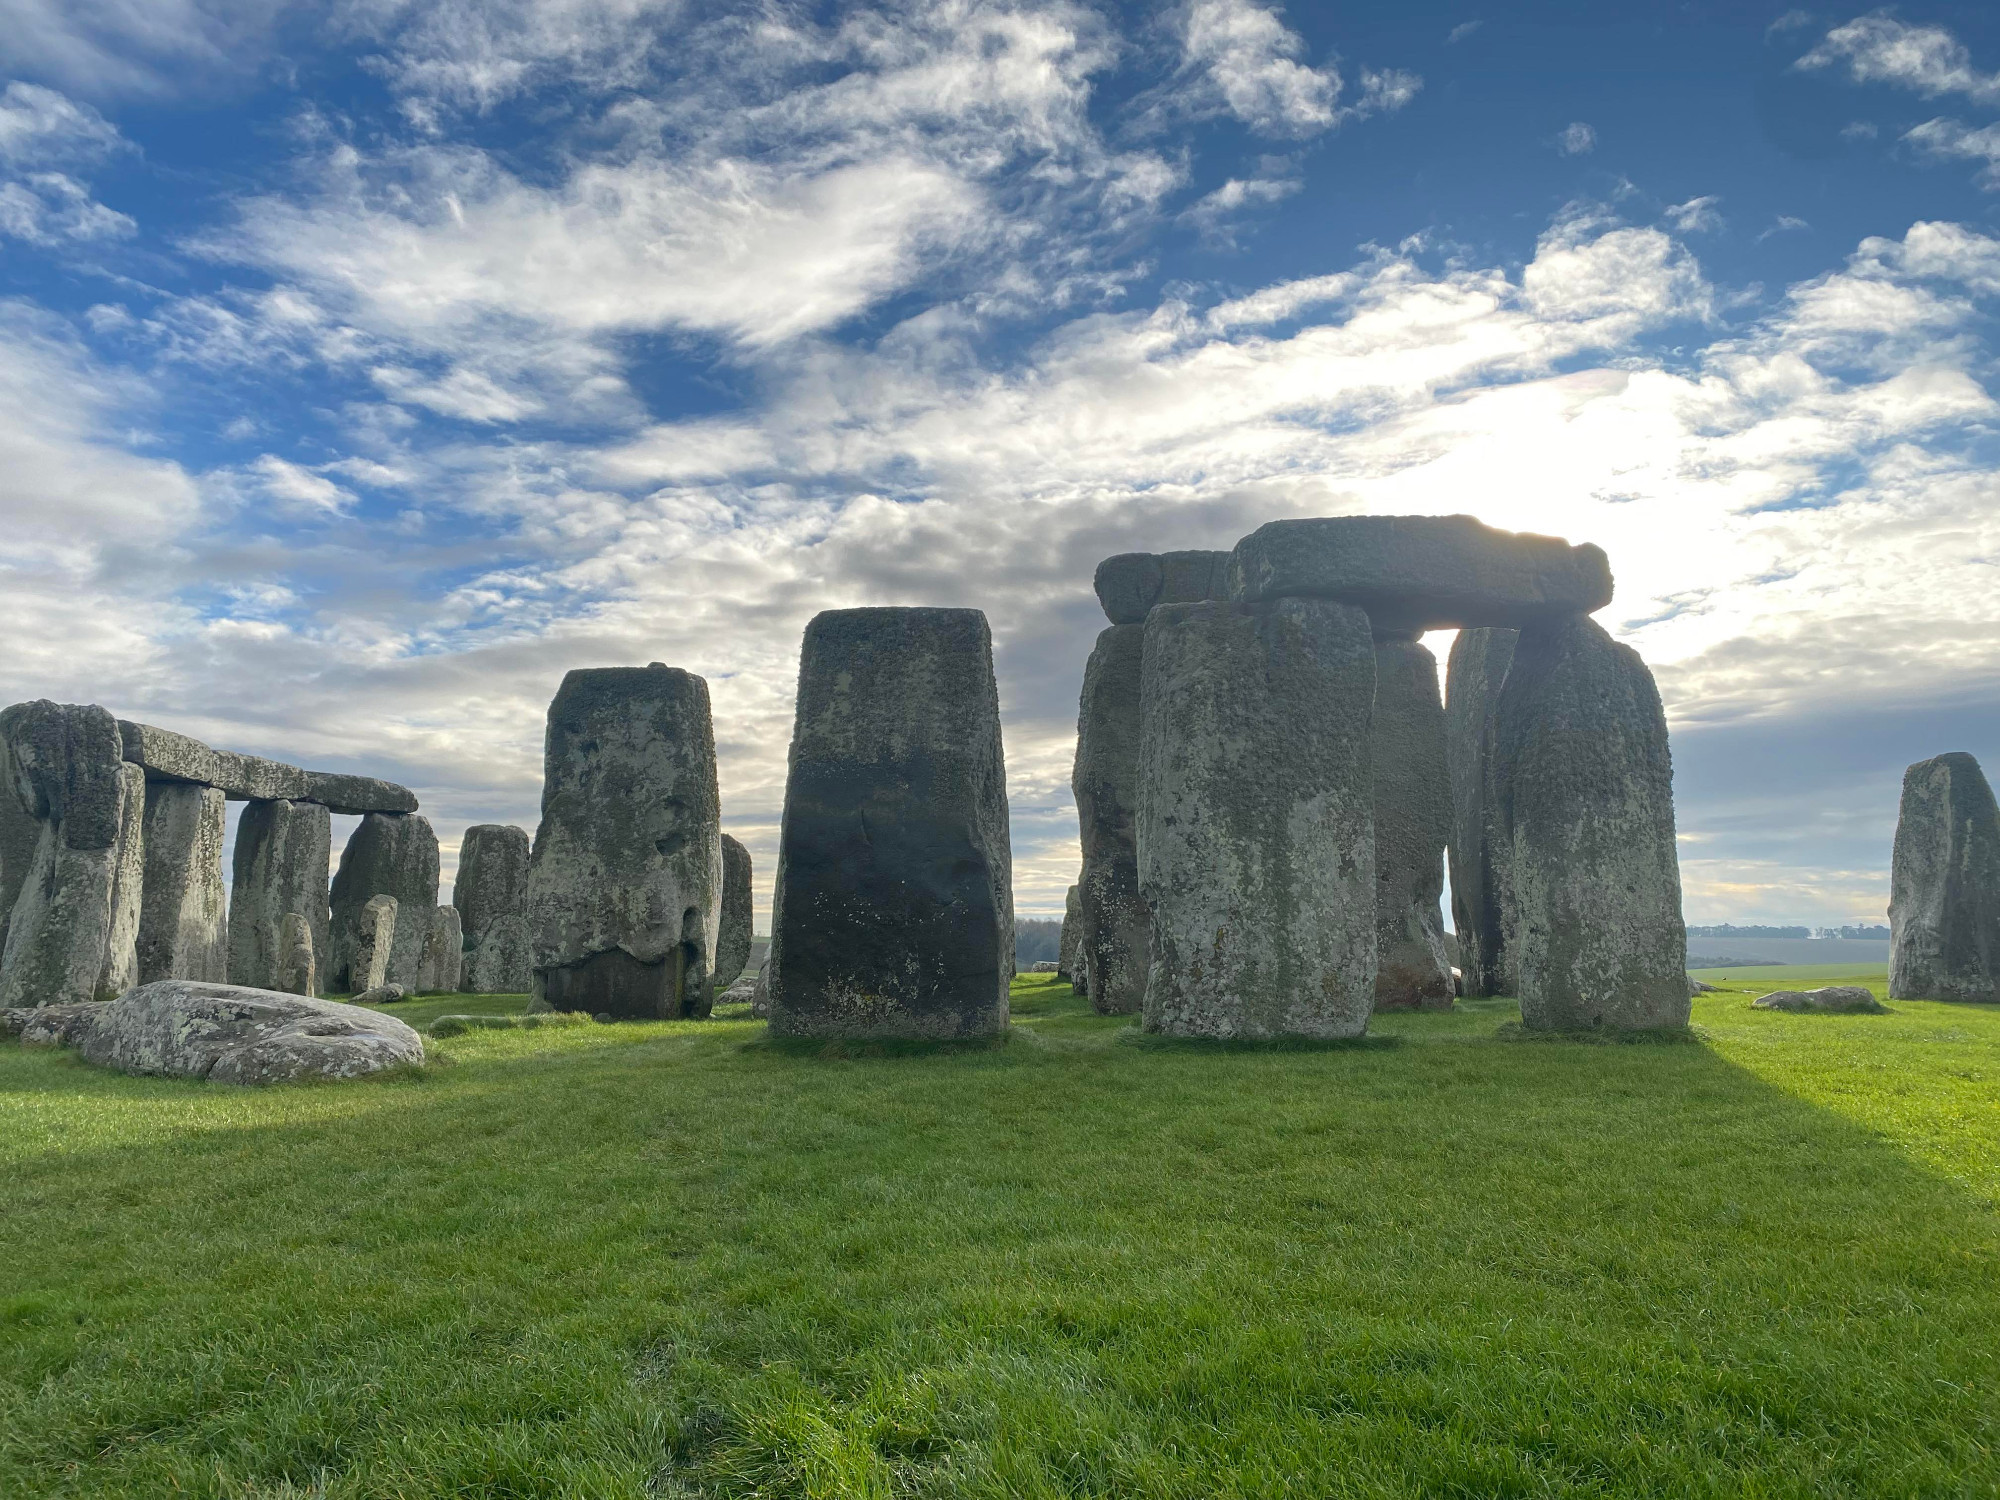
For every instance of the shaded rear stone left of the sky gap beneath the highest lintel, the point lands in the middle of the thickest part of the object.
(1413, 827)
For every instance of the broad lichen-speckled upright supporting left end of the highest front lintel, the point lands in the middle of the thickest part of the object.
(1257, 819)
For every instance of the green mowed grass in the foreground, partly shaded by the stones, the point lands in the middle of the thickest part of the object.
(683, 1261)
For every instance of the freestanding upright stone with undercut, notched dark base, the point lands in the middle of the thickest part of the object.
(625, 889)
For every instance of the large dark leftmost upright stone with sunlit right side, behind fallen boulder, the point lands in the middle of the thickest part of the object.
(73, 933)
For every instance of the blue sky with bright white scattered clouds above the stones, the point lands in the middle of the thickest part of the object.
(367, 365)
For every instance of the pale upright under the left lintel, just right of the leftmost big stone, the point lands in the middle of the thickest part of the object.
(183, 927)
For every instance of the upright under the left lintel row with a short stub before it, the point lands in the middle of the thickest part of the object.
(283, 851)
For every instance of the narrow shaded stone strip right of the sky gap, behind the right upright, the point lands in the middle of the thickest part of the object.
(1483, 855)
